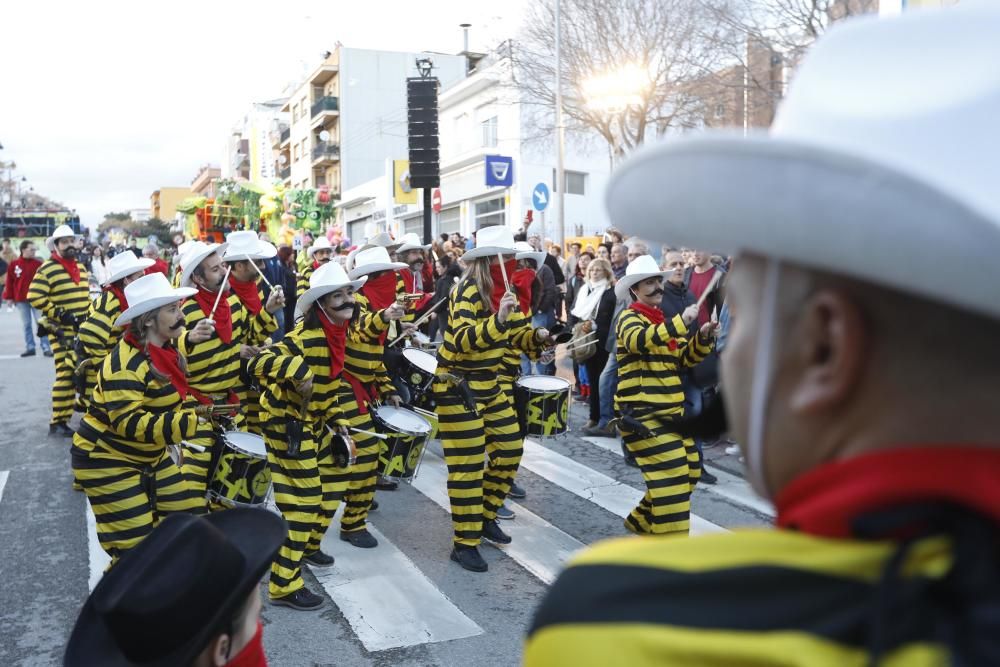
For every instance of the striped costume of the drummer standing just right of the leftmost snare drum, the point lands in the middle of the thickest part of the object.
(307, 487)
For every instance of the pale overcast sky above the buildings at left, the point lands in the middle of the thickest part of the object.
(103, 102)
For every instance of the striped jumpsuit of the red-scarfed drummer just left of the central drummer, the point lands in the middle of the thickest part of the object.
(363, 361)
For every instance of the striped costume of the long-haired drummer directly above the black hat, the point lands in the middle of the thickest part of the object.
(120, 457)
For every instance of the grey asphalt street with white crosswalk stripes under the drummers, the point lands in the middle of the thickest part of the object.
(403, 603)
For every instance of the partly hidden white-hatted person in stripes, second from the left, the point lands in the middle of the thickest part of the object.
(98, 335)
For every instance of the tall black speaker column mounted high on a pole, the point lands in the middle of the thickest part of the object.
(422, 132)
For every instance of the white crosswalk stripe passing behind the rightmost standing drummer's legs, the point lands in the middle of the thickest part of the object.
(591, 485)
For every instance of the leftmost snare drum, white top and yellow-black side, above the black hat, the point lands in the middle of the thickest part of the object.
(242, 477)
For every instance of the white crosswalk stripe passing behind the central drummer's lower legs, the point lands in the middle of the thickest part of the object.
(537, 546)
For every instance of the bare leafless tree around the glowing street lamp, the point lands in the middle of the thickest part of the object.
(673, 43)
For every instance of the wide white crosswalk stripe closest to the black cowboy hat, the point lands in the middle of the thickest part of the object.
(387, 600)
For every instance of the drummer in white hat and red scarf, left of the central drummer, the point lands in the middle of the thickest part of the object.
(366, 380)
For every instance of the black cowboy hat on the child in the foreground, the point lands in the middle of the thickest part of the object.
(167, 597)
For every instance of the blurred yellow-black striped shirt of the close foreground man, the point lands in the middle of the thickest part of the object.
(743, 599)
